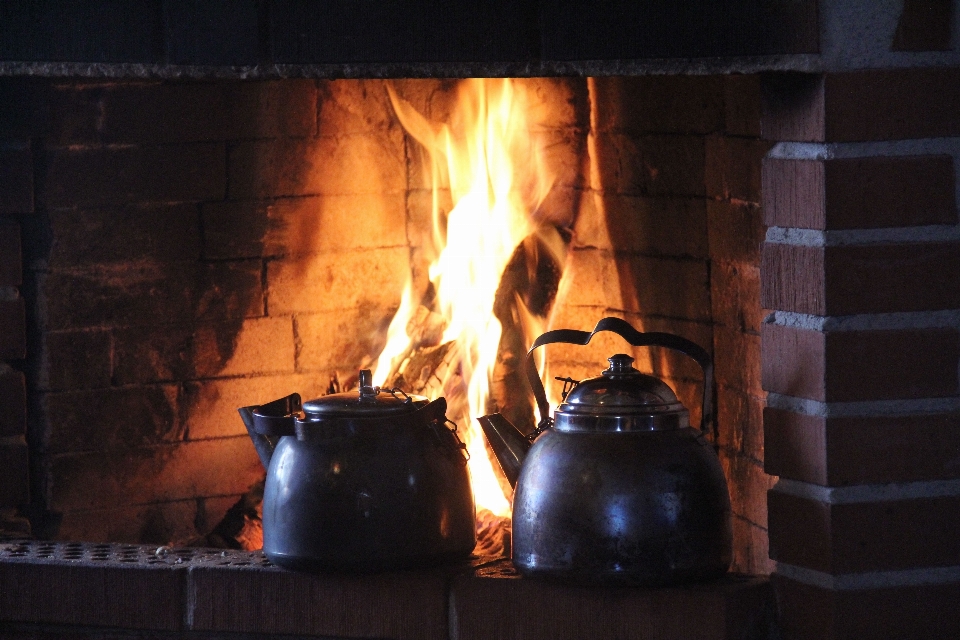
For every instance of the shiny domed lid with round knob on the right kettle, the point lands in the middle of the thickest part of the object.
(621, 399)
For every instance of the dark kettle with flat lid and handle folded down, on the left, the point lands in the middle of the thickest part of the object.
(362, 481)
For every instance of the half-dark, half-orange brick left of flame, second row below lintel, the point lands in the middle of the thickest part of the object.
(321, 166)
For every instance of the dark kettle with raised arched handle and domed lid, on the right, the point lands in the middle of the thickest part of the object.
(616, 487)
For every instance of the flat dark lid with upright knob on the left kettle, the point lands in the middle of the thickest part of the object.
(371, 402)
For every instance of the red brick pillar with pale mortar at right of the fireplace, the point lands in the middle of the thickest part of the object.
(860, 357)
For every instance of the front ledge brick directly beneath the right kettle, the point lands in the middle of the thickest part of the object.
(731, 607)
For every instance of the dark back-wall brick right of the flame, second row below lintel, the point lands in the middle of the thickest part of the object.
(650, 165)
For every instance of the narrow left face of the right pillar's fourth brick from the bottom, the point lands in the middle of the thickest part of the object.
(793, 361)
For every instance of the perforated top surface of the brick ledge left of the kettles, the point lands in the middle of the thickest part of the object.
(126, 554)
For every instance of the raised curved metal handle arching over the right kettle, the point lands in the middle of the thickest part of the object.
(636, 338)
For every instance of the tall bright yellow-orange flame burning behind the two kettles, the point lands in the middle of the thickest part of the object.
(497, 177)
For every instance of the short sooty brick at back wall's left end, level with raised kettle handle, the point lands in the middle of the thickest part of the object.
(75, 360)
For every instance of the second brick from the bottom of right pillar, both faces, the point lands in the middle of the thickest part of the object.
(863, 536)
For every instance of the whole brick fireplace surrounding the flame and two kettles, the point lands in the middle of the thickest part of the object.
(187, 230)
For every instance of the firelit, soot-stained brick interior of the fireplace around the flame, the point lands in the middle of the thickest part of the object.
(201, 246)
